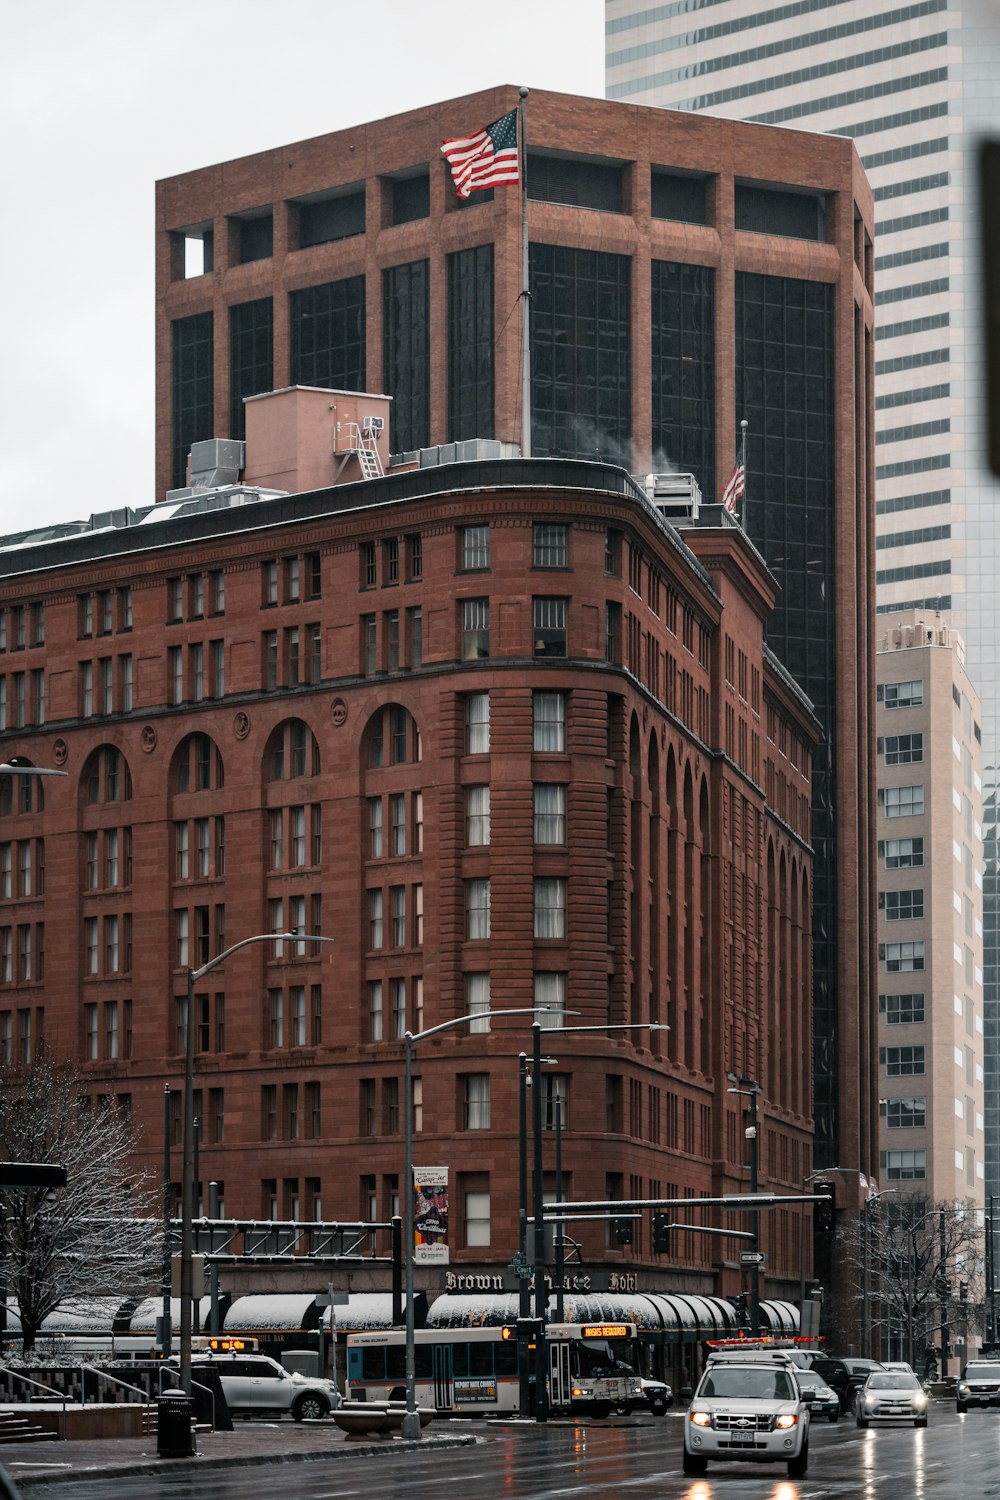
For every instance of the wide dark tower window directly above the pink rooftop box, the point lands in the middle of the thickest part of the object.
(329, 335)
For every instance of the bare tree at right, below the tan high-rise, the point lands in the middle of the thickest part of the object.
(911, 1261)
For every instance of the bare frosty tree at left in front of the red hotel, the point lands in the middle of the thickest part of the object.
(97, 1237)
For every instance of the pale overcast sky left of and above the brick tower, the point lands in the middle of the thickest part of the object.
(101, 98)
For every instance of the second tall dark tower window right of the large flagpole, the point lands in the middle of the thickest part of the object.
(684, 370)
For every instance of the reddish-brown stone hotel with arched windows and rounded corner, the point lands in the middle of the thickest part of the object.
(281, 718)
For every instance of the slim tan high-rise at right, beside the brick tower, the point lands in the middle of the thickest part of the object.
(930, 913)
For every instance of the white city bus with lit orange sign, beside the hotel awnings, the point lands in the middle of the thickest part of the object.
(593, 1369)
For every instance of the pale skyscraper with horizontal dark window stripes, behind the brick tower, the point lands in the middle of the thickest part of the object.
(915, 86)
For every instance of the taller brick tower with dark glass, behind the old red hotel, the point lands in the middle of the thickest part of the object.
(686, 274)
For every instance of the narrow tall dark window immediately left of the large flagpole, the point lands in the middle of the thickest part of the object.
(472, 344)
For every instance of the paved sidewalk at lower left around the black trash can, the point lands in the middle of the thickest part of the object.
(251, 1444)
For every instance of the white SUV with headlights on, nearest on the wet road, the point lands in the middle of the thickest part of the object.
(747, 1411)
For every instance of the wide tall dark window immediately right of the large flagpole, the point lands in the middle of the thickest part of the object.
(581, 352)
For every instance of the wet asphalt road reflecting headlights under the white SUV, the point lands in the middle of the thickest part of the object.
(953, 1459)
